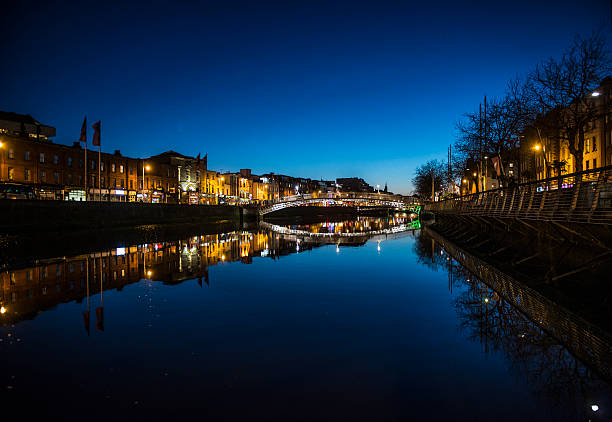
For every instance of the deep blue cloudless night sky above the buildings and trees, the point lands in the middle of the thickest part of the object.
(355, 89)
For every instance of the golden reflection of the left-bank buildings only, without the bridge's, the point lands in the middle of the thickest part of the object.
(42, 286)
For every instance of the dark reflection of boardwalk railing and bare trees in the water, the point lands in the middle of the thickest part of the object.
(565, 358)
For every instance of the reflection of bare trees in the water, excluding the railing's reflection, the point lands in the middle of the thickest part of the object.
(549, 365)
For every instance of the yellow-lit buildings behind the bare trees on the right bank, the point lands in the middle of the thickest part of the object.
(541, 156)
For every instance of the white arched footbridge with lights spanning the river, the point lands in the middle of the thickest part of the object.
(347, 199)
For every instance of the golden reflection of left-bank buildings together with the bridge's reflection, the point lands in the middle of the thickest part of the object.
(25, 292)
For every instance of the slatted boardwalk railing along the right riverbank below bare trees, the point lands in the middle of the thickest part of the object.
(583, 197)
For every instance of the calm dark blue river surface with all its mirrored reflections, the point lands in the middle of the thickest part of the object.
(368, 319)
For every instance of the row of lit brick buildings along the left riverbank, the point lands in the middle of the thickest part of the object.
(29, 157)
